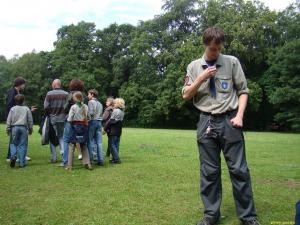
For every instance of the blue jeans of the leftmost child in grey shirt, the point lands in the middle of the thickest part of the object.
(19, 141)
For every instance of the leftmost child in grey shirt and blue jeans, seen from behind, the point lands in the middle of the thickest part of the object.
(19, 125)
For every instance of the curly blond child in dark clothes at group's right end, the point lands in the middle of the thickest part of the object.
(114, 129)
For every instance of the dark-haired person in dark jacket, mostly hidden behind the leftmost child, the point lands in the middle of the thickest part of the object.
(19, 86)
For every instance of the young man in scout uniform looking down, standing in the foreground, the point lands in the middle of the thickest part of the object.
(219, 90)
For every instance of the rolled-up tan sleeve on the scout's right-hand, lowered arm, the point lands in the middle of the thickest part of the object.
(239, 78)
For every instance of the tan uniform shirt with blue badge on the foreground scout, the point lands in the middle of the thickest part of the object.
(230, 82)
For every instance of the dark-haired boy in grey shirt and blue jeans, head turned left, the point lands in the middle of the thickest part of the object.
(95, 127)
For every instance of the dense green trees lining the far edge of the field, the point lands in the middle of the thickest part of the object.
(146, 64)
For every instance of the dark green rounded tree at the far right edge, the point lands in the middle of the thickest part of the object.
(282, 82)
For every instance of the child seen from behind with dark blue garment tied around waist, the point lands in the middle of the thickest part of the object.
(78, 117)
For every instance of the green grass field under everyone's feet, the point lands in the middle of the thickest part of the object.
(156, 184)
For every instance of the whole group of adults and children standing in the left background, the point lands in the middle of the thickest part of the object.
(73, 119)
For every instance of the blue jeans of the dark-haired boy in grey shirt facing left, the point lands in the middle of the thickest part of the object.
(95, 140)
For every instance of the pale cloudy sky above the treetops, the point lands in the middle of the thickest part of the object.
(32, 24)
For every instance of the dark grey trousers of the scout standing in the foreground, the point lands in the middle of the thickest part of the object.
(230, 140)
